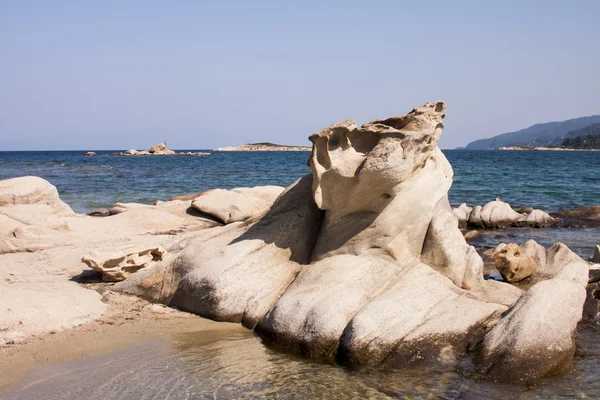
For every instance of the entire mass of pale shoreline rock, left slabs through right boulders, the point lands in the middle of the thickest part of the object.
(361, 262)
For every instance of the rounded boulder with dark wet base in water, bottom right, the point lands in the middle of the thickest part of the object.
(535, 338)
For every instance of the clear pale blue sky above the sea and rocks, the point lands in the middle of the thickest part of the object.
(128, 74)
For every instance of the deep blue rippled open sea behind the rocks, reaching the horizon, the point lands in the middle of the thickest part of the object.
(547, 180)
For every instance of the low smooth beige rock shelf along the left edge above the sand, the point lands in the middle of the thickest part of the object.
(42, 242)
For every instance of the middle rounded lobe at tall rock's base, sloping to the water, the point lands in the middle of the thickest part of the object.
(309, 317)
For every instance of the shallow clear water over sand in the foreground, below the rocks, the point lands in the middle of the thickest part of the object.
(237, 365)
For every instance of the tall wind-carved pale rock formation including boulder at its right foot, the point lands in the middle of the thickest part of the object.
(363, 261)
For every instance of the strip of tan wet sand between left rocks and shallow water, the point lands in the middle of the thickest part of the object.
(129, 322)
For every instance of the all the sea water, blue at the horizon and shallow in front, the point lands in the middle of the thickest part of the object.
(239, 365)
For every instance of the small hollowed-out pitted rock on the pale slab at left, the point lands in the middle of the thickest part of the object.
(118, 265)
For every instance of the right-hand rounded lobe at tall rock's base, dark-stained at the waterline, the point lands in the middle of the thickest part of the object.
(415, 318)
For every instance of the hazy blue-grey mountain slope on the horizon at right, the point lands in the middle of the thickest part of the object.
(547, 134)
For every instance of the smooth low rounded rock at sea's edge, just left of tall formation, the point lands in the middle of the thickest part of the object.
(237, 204)
